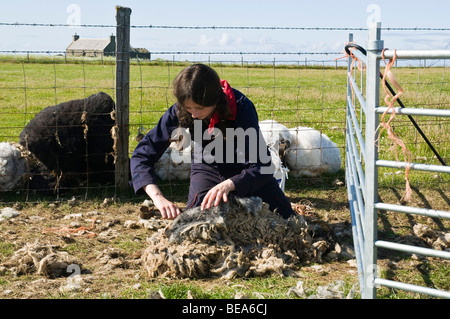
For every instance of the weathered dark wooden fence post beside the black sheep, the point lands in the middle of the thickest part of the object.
(122, 96)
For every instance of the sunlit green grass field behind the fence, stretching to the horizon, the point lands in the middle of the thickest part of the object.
(313, 97)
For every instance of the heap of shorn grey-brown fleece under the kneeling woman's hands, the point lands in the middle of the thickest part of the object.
(241, 238)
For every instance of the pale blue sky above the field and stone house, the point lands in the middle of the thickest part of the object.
(243, 13)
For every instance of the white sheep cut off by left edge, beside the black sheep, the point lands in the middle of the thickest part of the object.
(13, 166)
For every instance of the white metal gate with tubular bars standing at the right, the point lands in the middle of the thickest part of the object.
(362, 165)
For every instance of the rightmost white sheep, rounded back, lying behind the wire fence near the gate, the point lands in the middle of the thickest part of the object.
(311, 153)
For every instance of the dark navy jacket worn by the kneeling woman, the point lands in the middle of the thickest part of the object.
(246, 174)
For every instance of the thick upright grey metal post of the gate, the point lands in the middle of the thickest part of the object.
(374, 47)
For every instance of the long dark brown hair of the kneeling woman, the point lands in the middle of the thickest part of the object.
(200, 83)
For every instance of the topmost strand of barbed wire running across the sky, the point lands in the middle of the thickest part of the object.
(222, 27)
